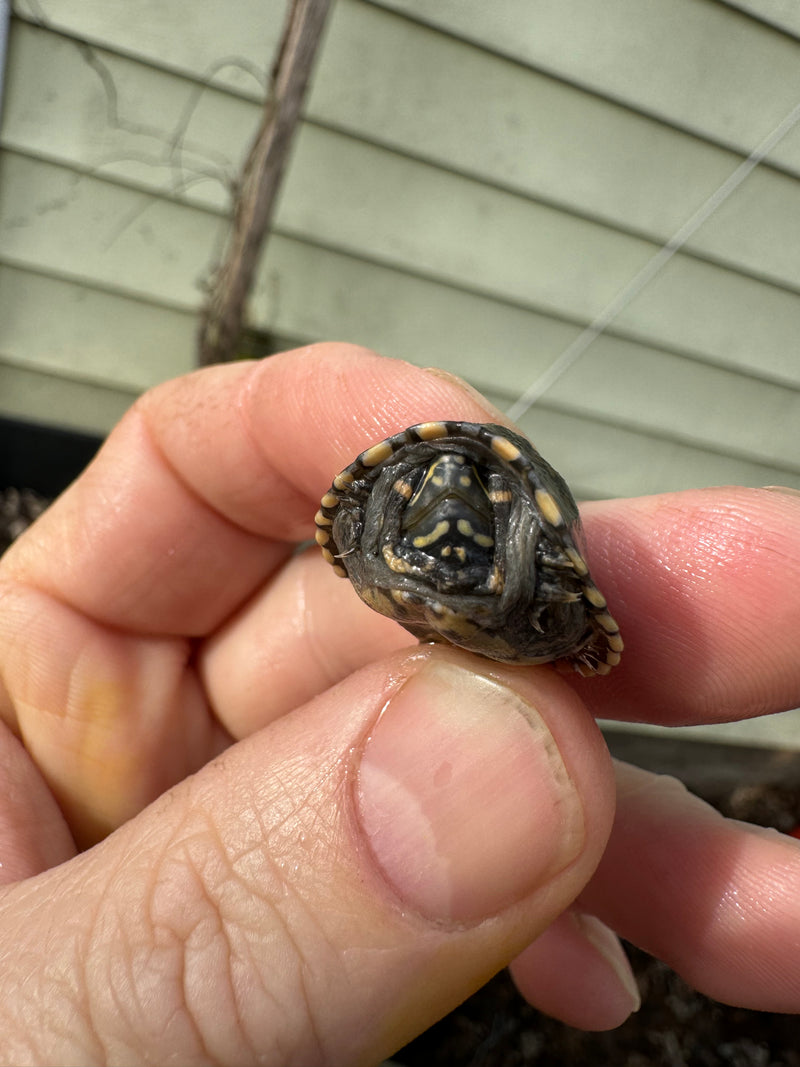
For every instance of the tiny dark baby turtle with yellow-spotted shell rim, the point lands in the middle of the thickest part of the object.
(462, 533)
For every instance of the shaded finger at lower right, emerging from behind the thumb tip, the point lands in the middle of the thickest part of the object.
(690, 886)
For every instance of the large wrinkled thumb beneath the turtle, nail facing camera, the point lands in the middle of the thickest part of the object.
(326, 889)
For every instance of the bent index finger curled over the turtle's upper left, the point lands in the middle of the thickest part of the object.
(204, 488)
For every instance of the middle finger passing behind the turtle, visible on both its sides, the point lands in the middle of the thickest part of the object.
(703, 585)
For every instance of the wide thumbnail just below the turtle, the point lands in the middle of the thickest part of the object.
(463, 797)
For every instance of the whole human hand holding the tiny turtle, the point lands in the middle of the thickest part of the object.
(396, 823)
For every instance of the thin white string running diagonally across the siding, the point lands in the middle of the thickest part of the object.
(573, 352)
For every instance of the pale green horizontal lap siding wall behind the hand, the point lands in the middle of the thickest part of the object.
(444, 204)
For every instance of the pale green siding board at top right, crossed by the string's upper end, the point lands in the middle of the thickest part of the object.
(696, 65)
